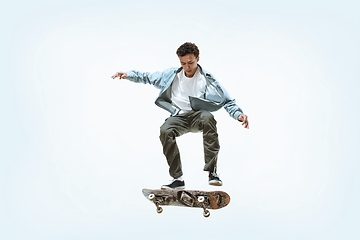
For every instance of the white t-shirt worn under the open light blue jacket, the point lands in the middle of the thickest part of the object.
(183, 87)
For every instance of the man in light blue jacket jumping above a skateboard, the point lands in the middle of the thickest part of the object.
(189, 93)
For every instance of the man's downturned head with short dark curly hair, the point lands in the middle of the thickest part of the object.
(188, 54)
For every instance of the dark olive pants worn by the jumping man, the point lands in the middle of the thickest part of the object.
(193, 121)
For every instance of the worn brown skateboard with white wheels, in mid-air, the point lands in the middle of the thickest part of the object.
(187, 198)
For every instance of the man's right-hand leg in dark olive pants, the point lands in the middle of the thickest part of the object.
(204, 121)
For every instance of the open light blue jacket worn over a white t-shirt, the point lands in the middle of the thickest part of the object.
(215, 95)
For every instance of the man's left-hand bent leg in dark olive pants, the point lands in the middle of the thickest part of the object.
(173, 127)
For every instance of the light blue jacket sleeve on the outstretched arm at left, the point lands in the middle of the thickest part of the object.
(157, 78)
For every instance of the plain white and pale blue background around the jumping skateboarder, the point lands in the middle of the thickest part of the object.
(77, 147)
